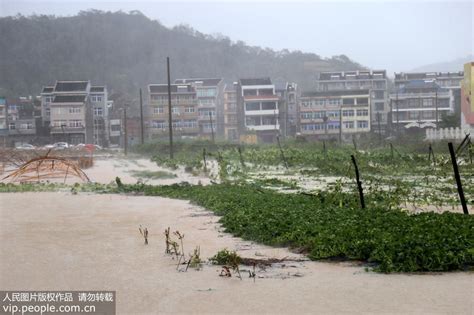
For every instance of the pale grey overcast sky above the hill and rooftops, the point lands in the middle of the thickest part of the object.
(392, 35)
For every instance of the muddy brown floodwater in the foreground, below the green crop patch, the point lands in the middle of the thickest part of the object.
(59, 241)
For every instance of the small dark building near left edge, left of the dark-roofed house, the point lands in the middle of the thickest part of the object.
(21, 120)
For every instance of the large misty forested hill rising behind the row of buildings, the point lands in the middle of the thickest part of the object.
(128, 50)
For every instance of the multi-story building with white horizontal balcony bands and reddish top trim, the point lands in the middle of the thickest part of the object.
(257, 109)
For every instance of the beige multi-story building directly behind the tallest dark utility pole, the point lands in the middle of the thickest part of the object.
(184, 111)
